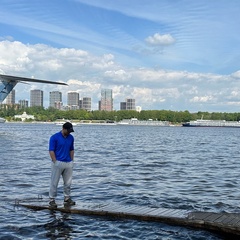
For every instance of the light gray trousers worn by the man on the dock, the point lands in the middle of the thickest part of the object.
(58, 169)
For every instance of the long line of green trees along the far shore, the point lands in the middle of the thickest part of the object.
(51, 114)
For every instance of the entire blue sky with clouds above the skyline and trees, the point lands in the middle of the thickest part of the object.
(166, 54)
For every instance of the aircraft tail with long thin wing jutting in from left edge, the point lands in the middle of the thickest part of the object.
(7, 83)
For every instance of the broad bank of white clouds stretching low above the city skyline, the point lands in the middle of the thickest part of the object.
(88, 74)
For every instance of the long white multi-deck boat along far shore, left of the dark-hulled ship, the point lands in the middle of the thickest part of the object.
(149, 122)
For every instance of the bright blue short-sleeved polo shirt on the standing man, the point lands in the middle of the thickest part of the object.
(61, 146)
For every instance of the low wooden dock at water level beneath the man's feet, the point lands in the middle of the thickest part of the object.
(222, 223)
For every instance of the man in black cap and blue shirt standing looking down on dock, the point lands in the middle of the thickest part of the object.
(61, 150)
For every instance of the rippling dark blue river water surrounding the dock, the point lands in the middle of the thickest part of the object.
(172, 167)
